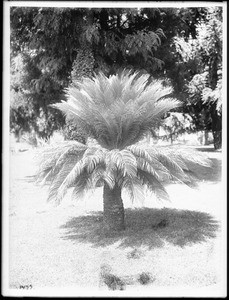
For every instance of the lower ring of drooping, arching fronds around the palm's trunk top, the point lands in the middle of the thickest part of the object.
(72, 164)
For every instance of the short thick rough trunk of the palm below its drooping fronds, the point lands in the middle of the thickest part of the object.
(113, 210)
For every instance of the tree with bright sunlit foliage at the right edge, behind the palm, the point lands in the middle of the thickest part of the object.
(194, 64)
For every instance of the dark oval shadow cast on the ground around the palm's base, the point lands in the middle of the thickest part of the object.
(182, 227)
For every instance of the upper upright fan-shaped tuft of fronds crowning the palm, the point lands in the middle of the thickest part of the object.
(119, 109)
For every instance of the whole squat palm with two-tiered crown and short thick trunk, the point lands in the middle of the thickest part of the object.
(116, 112)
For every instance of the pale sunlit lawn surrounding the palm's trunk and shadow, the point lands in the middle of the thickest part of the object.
(168, 247)
